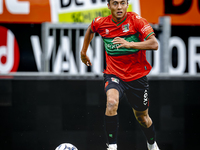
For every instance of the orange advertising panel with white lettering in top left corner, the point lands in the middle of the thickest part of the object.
(26, 11)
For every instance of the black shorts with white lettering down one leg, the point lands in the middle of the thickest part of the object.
(137, 91)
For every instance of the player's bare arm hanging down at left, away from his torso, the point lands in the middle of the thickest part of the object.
(88, 38)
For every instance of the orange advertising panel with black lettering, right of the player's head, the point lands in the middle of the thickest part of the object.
(182, 12)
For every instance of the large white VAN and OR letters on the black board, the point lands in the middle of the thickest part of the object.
(73, 65)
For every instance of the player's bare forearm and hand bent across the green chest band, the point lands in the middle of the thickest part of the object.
(150, 44)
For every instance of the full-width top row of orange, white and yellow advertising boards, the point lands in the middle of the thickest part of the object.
(182, 12)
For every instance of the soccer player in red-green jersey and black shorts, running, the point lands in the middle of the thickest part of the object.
(126, 36)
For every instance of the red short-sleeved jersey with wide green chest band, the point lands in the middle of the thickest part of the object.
(127, 64)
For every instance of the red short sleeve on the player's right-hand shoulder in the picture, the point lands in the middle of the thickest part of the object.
(143, 27)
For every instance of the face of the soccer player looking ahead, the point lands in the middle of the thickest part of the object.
(118, 8)
